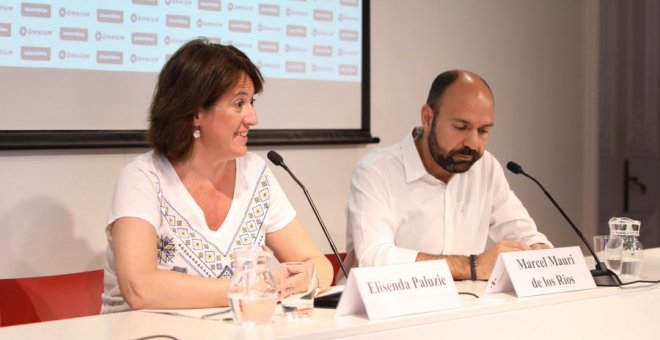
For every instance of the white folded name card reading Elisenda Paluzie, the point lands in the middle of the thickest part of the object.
(400, 289)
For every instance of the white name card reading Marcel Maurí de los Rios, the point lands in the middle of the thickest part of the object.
(536, 272)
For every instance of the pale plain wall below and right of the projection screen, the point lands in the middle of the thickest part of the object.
(537, 55)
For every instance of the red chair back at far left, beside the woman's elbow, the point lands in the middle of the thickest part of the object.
(45, 298)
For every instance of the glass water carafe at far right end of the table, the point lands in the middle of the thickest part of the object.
(632, 251)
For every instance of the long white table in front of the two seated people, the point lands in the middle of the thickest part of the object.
(602, 313)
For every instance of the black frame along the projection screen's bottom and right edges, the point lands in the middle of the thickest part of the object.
(67, 139)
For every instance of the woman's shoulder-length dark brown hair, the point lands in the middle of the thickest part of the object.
(193, 79)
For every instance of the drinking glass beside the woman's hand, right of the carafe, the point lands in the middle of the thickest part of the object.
(298, 287)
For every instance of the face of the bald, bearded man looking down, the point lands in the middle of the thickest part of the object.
(460, 130)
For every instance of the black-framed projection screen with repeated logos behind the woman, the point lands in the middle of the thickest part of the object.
(81, 73)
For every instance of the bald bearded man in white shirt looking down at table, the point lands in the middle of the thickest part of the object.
(438, 194)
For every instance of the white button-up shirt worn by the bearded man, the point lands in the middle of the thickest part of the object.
(397, 209)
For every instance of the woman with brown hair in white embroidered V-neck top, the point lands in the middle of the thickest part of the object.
(180, 210)
